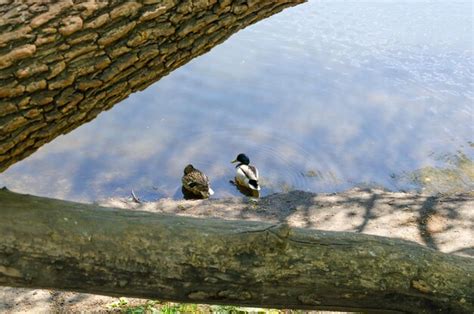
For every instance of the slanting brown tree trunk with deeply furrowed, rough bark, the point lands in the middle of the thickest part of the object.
(63, 62)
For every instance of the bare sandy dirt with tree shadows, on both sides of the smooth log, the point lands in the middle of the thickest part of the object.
(443, 222)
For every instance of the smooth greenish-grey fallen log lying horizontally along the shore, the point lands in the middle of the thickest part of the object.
(56, 244)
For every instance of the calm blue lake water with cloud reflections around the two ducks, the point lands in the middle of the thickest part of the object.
(322, 97)
